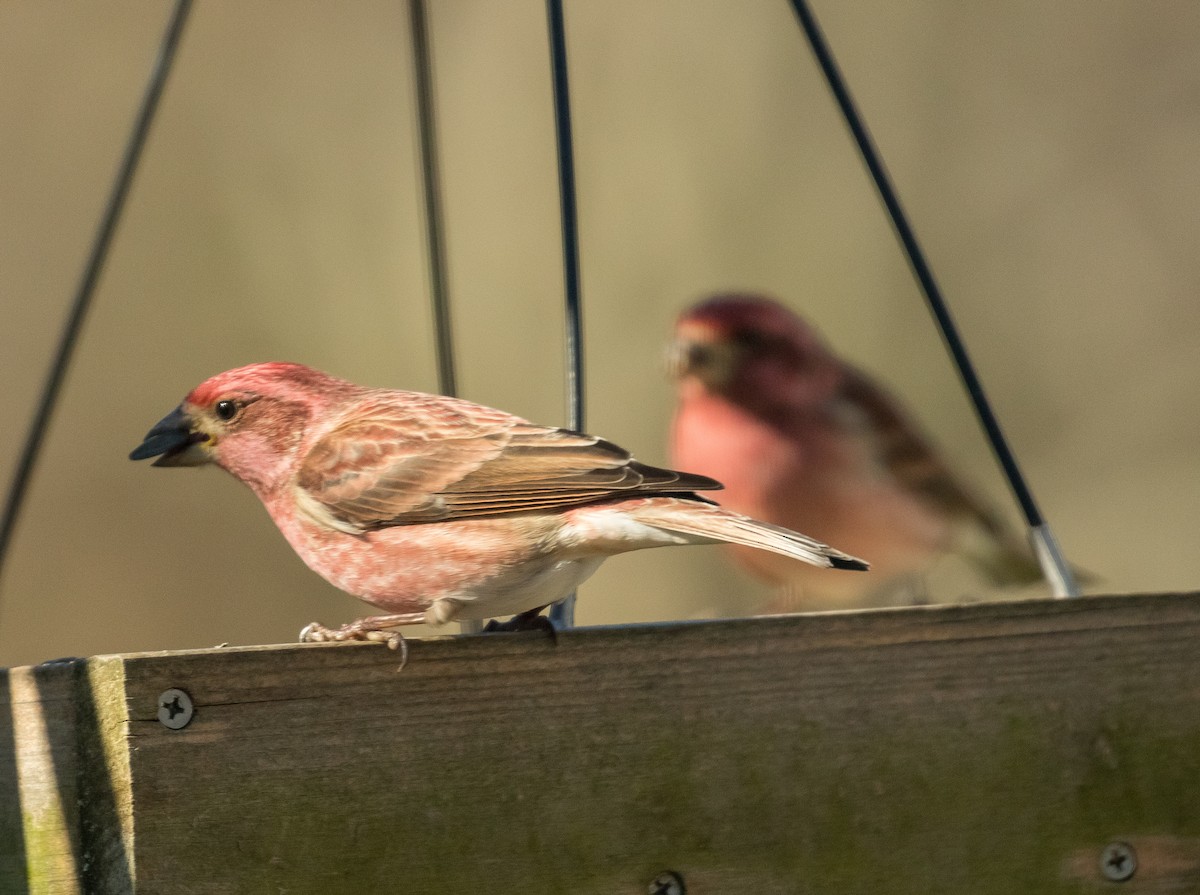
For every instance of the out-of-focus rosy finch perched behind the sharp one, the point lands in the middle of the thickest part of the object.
(803, 440)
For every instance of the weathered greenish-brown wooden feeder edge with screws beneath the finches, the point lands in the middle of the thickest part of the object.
(980, 749)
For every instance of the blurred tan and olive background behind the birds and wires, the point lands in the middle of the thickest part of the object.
(1049, 155)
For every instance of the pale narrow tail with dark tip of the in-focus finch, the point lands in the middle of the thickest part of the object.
(712, 524)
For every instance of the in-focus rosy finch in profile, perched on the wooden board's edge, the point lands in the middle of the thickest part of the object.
(435, 509)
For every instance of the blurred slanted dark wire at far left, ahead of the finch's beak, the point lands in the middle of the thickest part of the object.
(82, 303)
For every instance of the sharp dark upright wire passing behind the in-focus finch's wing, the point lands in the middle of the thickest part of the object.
(563, 614)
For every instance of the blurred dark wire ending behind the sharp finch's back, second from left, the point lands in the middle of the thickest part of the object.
(423, 70)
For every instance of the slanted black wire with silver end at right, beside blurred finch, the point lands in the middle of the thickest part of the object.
(1055, 569)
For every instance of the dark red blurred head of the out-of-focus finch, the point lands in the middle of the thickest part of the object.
(754, 352)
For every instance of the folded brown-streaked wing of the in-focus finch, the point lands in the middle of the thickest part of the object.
(431, 459)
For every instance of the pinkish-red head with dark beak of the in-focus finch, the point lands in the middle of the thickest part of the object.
(249, 422)
